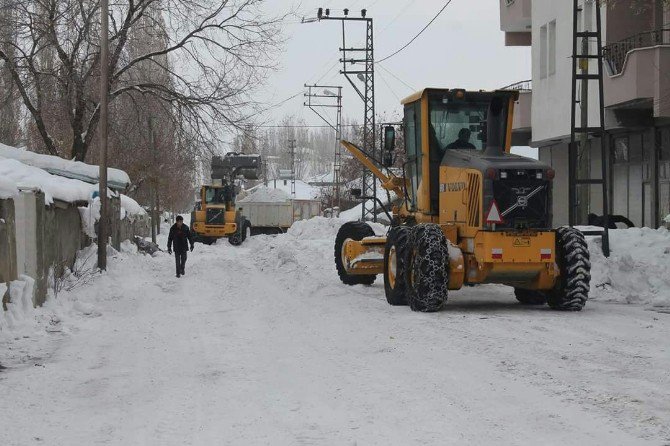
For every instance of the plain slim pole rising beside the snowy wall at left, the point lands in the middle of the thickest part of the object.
(103, 229)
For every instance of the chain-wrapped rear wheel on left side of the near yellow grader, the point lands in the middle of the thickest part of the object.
(427, 268)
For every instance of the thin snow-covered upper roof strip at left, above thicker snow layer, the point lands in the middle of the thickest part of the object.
(117, 179)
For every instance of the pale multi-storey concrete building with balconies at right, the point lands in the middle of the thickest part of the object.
(636, 40)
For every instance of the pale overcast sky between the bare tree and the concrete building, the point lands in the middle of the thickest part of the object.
(463, 48)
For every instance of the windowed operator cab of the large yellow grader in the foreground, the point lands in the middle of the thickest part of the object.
(441, 120)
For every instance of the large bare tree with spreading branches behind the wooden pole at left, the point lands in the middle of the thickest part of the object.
(215, 53)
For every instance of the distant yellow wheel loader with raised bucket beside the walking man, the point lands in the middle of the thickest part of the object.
(215, 215)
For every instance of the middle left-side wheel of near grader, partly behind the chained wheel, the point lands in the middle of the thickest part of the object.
(395, 255)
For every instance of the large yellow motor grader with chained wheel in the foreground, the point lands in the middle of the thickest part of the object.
(470, 212)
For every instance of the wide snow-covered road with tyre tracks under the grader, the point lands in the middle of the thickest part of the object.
(261, 344)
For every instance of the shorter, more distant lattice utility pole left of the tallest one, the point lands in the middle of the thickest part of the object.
(314, 102)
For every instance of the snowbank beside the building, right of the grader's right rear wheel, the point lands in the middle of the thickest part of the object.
(638, 270)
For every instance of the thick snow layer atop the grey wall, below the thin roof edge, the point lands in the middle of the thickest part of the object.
(54, 187)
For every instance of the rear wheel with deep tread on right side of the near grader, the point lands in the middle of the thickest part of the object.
(572, 288)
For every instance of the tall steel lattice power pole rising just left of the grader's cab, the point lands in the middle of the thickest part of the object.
(352, 59)
